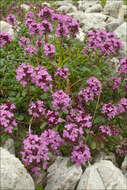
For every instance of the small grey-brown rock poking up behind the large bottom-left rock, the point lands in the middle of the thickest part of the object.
(9, 145)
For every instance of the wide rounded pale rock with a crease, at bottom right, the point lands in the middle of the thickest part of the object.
(103, 175)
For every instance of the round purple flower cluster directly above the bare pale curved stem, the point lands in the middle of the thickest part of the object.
(37, 109)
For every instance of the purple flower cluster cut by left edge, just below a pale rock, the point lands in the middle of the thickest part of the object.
(5, 38)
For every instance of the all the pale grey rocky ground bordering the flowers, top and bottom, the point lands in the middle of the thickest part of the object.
(104, 173)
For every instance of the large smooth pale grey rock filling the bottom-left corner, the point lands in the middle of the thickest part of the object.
(13, 175)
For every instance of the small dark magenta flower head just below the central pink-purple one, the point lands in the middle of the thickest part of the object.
(53, 118)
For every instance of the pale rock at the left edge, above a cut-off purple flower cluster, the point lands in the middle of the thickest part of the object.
(5, 27)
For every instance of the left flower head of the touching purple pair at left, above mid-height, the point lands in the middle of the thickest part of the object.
(25, 74)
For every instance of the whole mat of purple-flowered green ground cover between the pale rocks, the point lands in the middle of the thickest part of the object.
(60, 96)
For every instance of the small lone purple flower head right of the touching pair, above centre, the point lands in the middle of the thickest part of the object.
(62, 72)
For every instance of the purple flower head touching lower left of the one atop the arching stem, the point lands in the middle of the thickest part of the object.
(86, 95)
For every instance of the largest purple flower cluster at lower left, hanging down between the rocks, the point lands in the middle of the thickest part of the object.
(36, 150)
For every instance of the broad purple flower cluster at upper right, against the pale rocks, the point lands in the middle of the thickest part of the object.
(105, 42)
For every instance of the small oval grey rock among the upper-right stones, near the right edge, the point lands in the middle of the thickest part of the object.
(110, 27)
